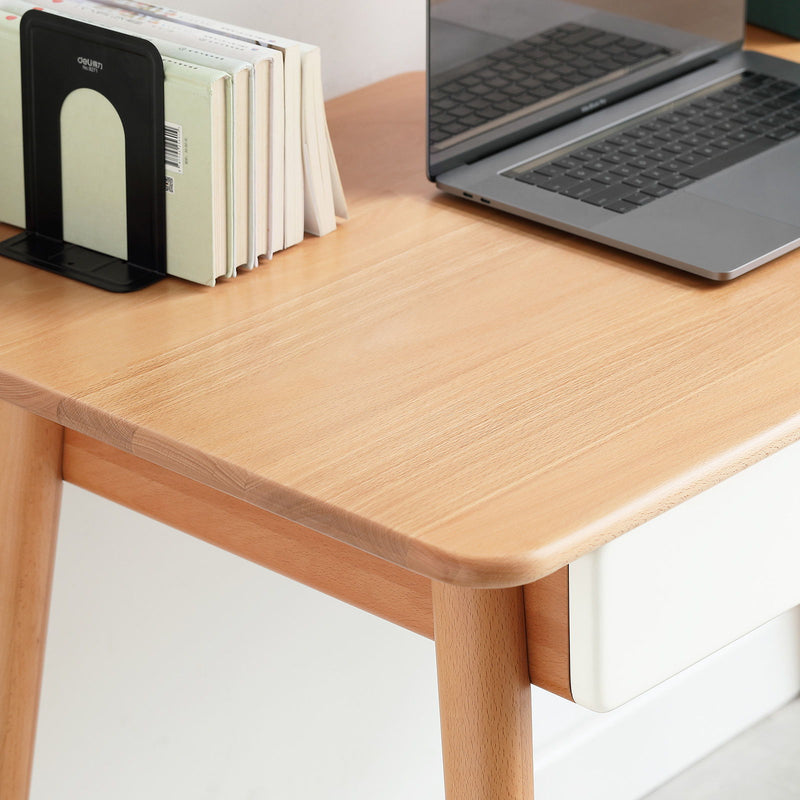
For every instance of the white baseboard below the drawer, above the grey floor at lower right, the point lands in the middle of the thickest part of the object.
(627, 753)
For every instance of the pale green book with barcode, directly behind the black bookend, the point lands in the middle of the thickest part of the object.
(195, 164)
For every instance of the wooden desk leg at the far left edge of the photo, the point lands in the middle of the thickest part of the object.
(30, 497)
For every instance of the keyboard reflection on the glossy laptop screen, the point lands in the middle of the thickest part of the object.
(531, 72)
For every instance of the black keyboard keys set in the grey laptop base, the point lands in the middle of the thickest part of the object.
(651, 158)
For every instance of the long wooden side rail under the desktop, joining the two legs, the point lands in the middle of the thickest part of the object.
(336, 569)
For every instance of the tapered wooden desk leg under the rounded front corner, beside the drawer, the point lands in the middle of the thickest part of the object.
(484, 693)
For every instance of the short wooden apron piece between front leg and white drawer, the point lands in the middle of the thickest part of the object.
(547, 624)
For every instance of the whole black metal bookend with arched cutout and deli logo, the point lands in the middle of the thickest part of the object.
(58, 56)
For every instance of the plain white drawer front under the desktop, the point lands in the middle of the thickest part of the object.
(685, 584)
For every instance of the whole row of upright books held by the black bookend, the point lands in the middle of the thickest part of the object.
(249, 165)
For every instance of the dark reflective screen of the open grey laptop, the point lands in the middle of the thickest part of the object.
(502, 70)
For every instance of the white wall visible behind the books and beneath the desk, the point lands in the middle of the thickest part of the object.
(177, 672)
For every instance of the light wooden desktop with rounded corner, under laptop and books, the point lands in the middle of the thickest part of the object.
(472, 396)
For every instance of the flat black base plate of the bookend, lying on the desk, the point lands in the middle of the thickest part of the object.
(79, 263)
